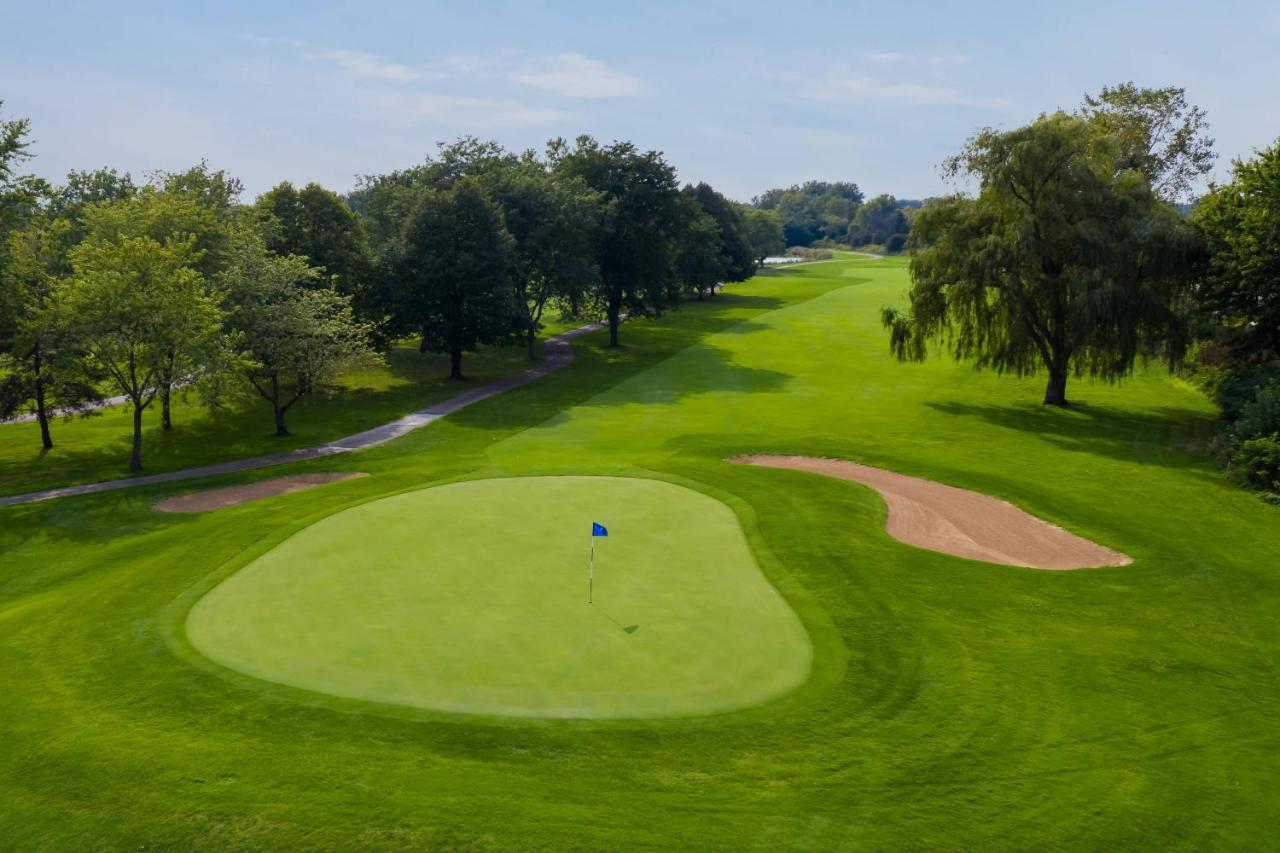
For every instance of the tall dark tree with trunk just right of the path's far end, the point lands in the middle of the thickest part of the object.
(641, 204)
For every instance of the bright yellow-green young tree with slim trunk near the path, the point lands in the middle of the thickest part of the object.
(140, 311)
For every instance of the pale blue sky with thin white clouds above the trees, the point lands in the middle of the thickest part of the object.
(743, 95)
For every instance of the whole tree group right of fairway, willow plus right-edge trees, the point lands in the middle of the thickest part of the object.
(1077, 257)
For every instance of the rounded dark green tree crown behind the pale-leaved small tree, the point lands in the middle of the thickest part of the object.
(319, 226)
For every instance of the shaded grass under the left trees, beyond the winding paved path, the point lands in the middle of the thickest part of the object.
(98, 449)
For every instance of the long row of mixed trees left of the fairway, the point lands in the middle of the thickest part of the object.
(172, 285)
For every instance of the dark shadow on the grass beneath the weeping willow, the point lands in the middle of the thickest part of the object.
(1167, 436)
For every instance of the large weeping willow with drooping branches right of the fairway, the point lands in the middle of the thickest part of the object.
(1066, 261)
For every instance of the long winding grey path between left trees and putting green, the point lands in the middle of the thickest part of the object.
(556, 354)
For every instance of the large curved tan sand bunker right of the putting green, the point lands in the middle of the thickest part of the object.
(959, 522)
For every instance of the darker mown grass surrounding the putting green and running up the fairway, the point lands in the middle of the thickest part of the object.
(953, 705)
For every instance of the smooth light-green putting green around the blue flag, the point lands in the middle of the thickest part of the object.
(474, 599)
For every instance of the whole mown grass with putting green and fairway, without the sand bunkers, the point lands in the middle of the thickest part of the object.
(947, 704)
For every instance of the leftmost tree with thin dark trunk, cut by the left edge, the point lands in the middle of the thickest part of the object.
(40, 371)
